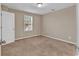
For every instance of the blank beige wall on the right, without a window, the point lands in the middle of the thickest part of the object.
(60, 24)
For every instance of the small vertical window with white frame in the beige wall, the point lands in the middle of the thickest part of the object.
(28, 20)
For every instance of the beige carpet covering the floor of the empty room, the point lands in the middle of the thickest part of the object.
(38, 46)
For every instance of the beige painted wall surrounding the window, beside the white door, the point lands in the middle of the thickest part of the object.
(19, 23)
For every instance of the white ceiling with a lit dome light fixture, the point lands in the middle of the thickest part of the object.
(31, 7)
